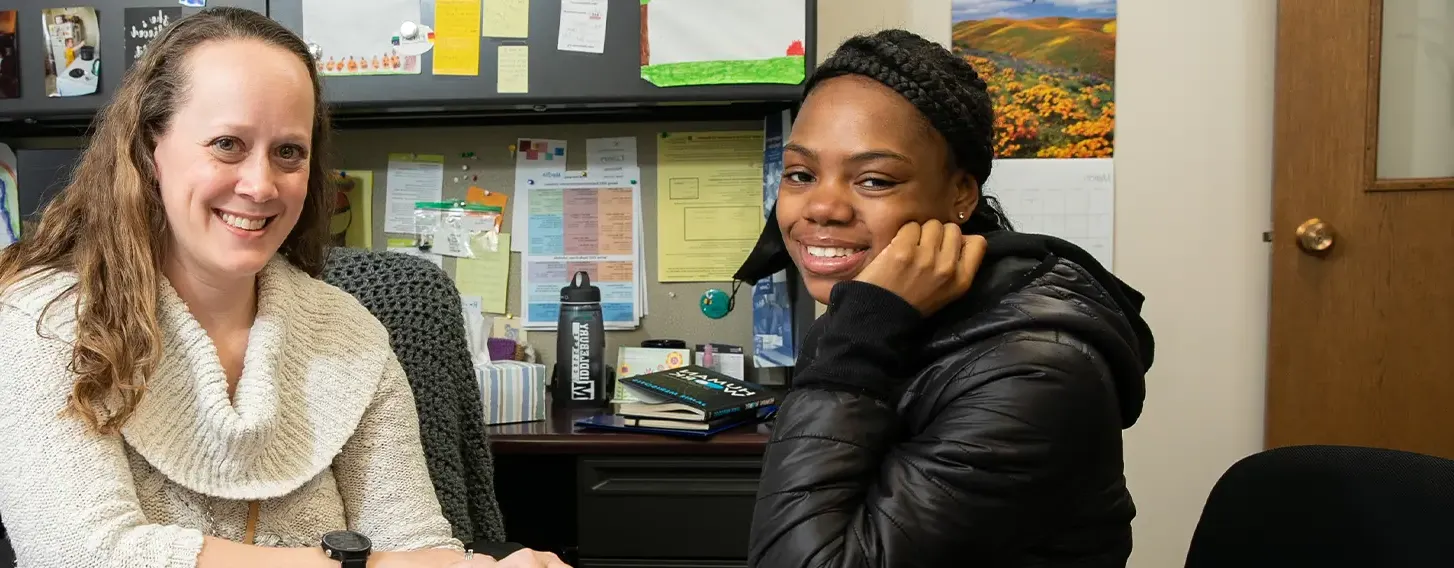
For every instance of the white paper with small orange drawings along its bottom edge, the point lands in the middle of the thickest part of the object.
(357, 37)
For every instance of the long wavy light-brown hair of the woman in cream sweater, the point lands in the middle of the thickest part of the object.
(108, 226)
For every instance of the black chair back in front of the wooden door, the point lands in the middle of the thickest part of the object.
(1330, 508)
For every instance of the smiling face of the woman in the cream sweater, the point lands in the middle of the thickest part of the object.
(233, 163)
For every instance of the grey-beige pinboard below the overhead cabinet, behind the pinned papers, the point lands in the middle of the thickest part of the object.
(672, 307)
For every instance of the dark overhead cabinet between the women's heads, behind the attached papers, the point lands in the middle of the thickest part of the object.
(556, 78)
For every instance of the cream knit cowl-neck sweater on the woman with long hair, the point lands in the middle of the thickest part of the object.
(322, 434)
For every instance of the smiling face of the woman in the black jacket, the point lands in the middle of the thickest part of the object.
(861, 163)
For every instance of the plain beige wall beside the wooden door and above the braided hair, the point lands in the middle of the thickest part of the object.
(1193, 168)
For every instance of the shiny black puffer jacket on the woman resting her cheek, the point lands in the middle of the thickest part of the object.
(985, 437)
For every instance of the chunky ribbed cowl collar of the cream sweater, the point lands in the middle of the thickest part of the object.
(297, 403)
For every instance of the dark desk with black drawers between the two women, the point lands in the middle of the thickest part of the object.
(617, 500)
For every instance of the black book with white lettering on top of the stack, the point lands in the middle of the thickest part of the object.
(693, 393)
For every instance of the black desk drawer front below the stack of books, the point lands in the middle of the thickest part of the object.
(696, 508)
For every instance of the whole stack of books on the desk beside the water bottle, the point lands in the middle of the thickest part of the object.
(690, 400)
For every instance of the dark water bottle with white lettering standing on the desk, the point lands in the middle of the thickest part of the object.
(581, 342)
